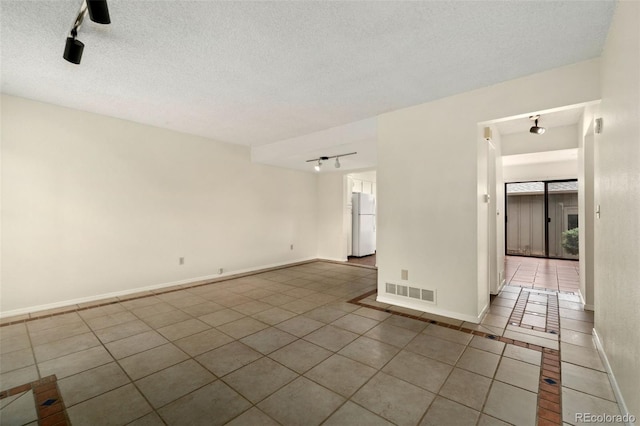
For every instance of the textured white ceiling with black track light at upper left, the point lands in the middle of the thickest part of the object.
(255, 73)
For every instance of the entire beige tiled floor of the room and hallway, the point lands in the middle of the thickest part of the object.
(285, 347)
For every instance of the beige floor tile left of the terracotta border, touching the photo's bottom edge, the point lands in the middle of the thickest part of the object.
(512, 404)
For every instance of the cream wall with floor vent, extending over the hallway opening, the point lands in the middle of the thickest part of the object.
(430, 199)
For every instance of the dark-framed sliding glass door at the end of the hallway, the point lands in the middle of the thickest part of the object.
(542, 219)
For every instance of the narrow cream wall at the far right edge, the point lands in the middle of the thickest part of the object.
(617, 191)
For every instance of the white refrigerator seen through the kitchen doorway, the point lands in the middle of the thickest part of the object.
(364, 224)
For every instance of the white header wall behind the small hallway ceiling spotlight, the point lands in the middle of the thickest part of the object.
(557, 138)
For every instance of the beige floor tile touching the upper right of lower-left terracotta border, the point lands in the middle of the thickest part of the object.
(88, 384)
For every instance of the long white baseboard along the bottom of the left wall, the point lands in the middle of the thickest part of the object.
(193, 280)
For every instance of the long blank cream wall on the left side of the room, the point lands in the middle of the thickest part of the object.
(93, 205)
